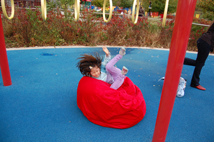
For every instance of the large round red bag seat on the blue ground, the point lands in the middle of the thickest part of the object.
(102, 105)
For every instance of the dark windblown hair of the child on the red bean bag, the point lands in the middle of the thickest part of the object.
(87, 60)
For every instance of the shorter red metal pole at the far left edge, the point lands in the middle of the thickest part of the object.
(3, 59)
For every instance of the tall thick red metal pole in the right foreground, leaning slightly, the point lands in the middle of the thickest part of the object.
(179, 42)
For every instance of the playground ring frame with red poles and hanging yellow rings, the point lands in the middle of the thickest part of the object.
(179, 41)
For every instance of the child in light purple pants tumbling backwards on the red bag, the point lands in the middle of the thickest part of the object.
(91, 66)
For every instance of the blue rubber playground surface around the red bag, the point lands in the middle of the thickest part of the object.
(41, 103)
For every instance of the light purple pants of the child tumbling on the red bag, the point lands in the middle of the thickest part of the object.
(115, 72)
